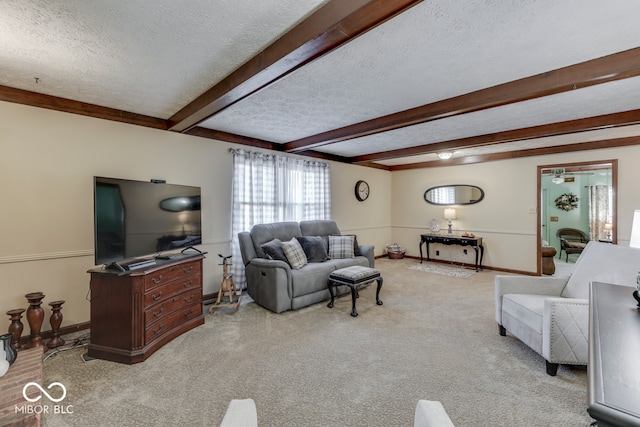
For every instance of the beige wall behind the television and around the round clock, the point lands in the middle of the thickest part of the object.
(47, 164)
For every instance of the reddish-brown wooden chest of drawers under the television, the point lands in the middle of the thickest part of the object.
(135, 313)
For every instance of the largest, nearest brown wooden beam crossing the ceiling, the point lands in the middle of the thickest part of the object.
(330, 27)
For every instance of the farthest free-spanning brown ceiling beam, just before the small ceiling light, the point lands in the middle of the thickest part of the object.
(606, 121)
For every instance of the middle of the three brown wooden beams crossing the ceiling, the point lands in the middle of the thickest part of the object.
(609, 68)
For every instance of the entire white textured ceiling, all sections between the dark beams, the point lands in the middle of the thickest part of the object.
(156, 57)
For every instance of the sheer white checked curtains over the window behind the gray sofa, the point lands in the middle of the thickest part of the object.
(271, 188)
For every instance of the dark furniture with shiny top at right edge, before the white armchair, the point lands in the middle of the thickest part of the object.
(614, 345)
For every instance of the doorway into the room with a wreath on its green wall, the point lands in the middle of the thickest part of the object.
(580, 196)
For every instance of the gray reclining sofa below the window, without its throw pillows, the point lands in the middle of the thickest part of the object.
(273, 284)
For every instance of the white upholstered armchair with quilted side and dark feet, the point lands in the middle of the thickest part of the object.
(551, 314)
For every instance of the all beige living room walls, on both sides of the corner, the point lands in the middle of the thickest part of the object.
(48, 160)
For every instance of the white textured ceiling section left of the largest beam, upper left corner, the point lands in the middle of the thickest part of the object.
(145, 56)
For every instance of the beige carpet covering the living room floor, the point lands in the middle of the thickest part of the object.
(434, 338)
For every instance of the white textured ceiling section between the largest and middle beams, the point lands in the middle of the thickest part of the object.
(436, 50)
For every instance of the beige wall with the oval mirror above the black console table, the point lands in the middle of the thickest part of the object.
(503, 218)
